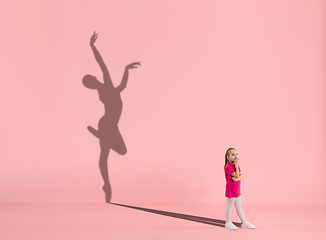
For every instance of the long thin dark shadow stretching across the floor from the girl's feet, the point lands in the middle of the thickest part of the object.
(204, 220)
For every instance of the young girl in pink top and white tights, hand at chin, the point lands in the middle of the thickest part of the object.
(233, 177)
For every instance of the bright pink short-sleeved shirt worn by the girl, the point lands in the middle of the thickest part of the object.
(232, 188)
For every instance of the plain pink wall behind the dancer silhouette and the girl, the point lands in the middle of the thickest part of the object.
(214, 74)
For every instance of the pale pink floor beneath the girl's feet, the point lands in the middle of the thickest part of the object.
(107, 221)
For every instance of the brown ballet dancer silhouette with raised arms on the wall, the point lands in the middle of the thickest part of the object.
(108, 131)
